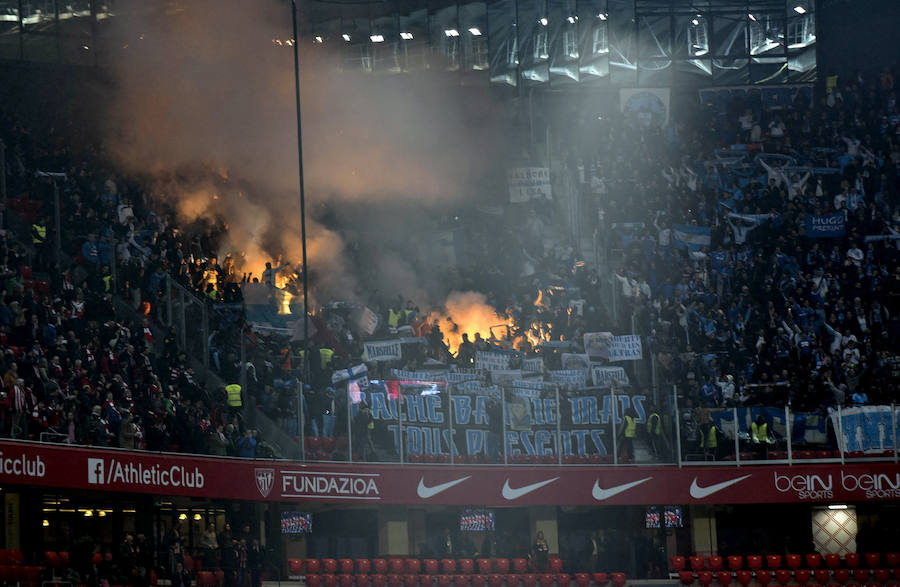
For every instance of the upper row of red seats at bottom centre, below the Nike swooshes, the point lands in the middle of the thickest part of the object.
(400, 566)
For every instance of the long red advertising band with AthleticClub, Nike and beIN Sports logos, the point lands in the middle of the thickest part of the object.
(48, 465)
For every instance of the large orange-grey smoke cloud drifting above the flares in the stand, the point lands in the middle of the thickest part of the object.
(210, 88)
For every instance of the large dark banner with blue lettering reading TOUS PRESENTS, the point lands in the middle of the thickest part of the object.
(587, 420)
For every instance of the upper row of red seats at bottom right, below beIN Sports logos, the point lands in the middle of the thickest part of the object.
(754, 562)
